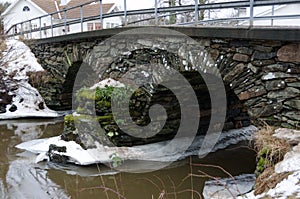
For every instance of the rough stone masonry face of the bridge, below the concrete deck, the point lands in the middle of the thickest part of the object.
(264, 75)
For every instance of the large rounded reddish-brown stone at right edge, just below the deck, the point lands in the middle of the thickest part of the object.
(289, 53)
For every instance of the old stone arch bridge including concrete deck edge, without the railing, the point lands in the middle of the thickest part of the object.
(260, 67)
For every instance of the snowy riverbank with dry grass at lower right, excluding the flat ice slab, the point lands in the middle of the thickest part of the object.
(278, 162)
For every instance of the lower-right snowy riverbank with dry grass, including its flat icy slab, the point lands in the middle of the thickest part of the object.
(277, 170)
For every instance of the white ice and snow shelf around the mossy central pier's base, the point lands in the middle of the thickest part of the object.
(103, 154)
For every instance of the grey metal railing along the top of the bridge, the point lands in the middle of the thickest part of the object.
(153, 14)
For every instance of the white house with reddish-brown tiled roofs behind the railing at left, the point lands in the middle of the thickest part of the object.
(22, 10)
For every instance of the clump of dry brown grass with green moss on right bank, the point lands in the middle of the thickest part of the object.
(271, 150)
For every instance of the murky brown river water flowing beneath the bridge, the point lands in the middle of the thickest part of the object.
(20, 177)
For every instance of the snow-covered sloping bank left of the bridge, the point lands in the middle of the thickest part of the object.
(27, 102)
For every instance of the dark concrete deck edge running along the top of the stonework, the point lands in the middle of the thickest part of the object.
(261, 33)
